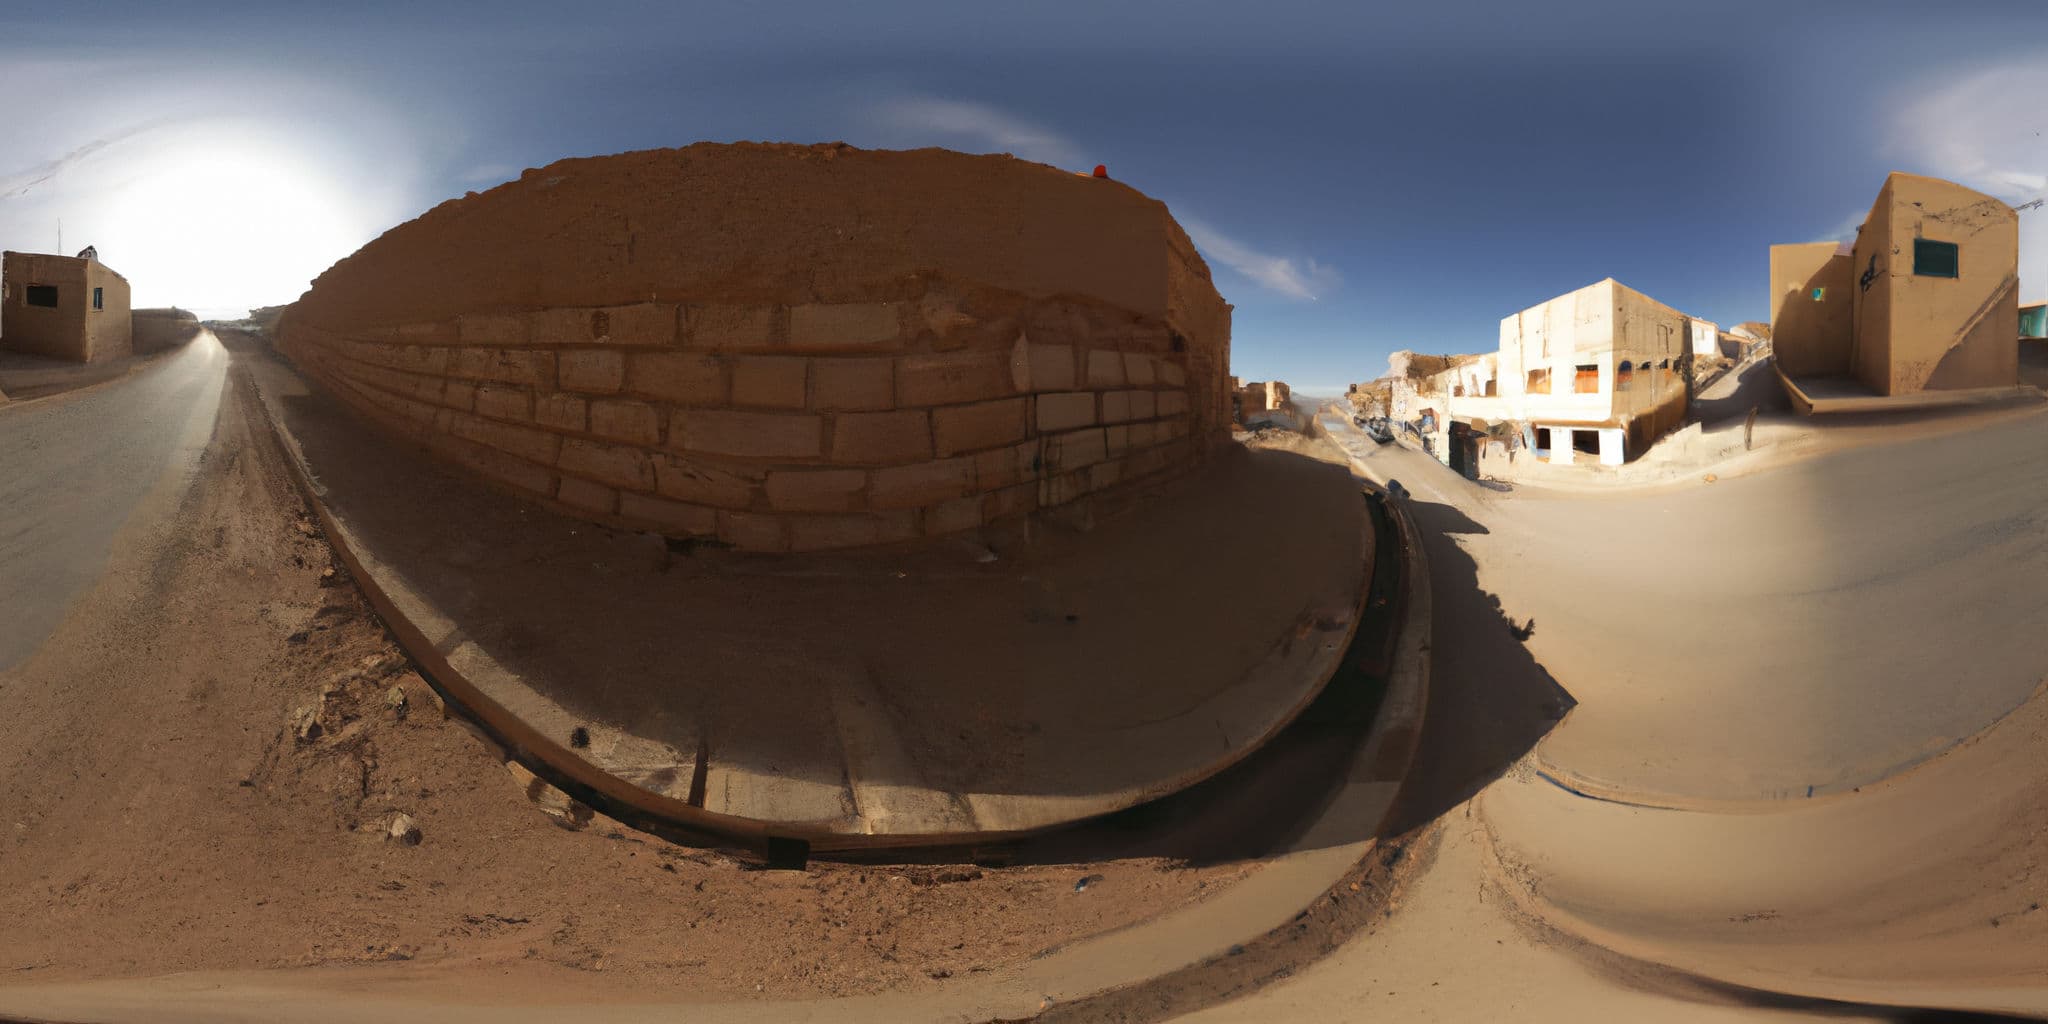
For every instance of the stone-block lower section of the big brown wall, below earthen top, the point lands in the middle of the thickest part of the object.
(781, 429)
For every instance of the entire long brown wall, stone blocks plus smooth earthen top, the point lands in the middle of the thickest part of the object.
(814, 382)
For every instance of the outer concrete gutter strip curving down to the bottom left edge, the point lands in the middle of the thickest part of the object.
(1191, 939)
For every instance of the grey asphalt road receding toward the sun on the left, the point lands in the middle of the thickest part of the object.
(75, 470)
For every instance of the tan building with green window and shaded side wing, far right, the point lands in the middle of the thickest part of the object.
(1924, 300)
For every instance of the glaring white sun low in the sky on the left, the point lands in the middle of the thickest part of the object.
(224, 226)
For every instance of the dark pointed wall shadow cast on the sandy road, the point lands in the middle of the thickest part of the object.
(1490, 699)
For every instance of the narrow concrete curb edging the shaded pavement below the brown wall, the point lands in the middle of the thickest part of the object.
(452, 667)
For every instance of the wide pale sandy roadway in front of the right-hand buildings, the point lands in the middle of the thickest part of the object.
(1789, 634)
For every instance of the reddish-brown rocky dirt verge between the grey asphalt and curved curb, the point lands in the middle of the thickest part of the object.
(161, 814)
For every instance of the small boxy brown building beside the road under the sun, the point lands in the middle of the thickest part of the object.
(62, 308)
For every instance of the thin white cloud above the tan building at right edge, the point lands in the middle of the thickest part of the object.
(1988, 130)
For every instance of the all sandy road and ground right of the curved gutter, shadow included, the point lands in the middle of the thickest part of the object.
(1920, 888)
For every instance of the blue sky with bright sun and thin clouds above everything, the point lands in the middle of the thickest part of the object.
(1361, 177)
